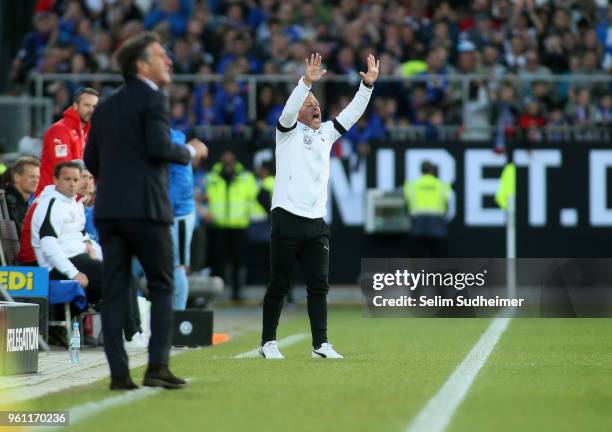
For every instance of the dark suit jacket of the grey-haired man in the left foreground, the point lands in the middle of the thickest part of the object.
(128, 151)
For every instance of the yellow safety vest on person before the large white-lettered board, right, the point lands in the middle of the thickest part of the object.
(426, 196)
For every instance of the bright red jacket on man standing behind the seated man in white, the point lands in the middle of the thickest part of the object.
(64, 141)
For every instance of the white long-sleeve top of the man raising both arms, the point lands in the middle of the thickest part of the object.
(302, 153)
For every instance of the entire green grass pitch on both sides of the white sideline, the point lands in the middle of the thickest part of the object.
(543, 375)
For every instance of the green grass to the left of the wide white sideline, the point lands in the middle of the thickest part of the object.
(393, 367)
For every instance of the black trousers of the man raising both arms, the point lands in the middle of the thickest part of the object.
(306, 241)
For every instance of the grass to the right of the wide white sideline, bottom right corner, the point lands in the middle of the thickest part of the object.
(545, 375)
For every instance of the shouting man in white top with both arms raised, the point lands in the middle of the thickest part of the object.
(299, 202)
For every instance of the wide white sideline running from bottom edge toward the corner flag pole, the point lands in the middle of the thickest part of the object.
(440, 409)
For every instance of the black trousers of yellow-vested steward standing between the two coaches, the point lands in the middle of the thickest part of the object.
(227, 257)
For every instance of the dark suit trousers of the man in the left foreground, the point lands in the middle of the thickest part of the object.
(151, 243)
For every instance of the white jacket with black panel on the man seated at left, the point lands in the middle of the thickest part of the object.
(58, 232)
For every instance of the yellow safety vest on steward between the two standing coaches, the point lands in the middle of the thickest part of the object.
(230, 204)
